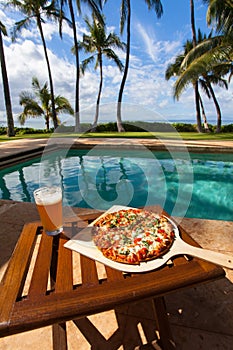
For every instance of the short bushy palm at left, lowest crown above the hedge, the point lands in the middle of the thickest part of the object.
(39, 103)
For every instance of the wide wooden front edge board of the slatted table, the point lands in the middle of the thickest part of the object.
(98, 298)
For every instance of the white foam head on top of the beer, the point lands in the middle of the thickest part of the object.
(47, 195)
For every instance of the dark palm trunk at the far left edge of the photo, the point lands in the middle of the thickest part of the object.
(10, 120)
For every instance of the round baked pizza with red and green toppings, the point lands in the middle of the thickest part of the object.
(133, 236)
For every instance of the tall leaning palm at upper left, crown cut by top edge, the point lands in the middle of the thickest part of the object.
(35, 10)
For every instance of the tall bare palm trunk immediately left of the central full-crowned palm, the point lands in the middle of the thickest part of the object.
(77, 112)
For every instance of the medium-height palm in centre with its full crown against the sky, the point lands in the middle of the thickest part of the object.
(99, 44)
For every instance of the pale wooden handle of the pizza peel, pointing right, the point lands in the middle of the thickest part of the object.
(182, 247)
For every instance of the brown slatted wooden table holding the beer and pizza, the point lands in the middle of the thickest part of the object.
(52, 298)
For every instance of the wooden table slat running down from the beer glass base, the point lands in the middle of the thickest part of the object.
(64, 279)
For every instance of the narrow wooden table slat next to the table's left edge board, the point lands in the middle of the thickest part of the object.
(39, 280)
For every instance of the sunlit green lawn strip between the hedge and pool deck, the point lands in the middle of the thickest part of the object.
(161, 135)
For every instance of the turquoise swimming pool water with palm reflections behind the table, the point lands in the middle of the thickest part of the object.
(200, 186)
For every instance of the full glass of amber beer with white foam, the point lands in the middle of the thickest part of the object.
(49, 204)
